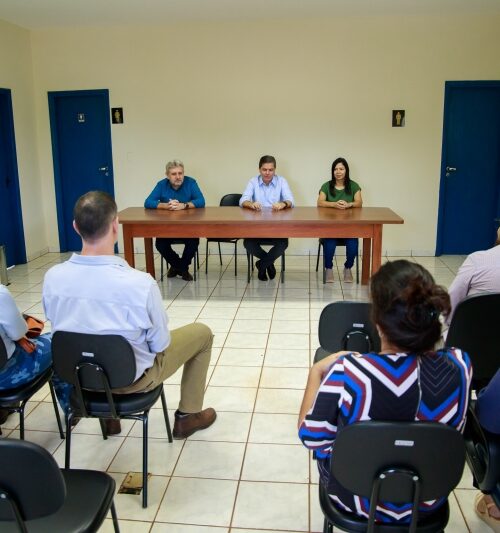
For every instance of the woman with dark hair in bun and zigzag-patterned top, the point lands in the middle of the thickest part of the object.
(406, 381)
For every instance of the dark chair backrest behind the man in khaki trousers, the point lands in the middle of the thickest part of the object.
(112, 353)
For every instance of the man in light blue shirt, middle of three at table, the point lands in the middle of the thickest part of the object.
(267, 191)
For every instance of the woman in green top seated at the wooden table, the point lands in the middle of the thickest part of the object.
(340, 193)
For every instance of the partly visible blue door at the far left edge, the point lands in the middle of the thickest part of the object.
(11, 221)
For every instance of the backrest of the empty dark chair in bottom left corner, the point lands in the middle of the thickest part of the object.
(29, 478)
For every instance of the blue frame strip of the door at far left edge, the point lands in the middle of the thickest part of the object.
(15, 195)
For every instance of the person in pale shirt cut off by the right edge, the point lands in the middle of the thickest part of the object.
(479, 273)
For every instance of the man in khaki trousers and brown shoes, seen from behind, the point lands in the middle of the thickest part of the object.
(98, 292)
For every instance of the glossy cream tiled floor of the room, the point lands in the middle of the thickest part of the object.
(247, 472)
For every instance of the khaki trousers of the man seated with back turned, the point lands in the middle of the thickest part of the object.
(190, 346)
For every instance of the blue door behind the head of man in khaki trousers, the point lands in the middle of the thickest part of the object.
(81, 151)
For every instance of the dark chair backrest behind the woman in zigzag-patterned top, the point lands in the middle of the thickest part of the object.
(434, 452)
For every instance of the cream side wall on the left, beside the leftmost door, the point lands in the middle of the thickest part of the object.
(16, 74)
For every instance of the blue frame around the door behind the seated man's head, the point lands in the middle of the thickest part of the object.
(53, 97)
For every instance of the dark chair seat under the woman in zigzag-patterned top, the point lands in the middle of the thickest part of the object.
(429, 523)
